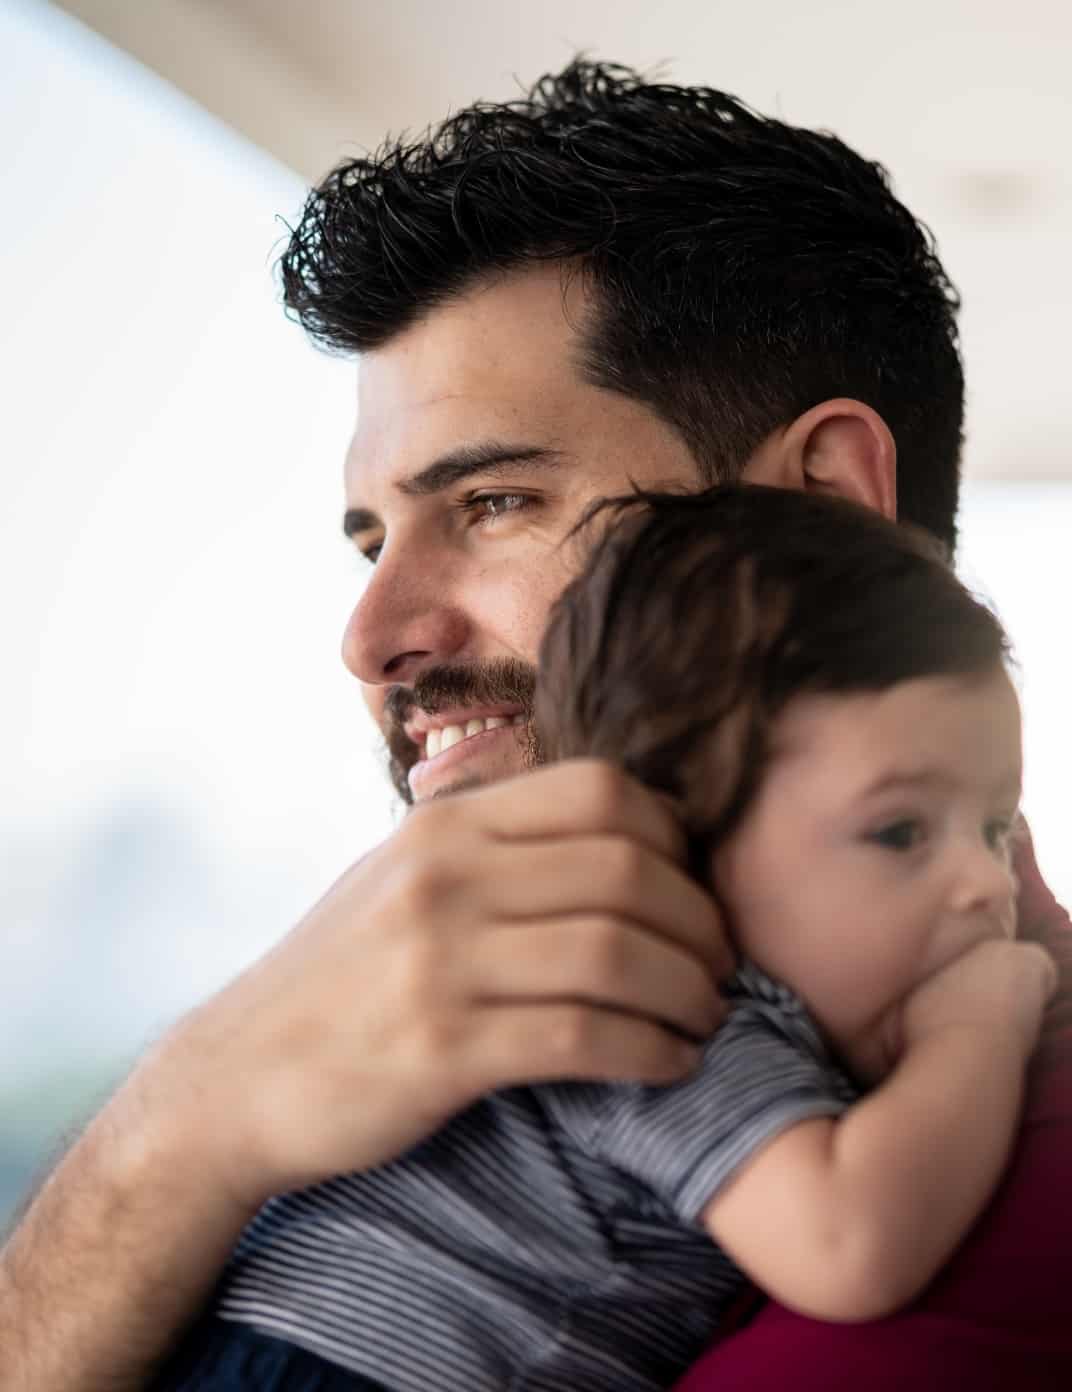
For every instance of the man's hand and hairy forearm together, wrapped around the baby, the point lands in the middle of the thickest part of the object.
(537, 929)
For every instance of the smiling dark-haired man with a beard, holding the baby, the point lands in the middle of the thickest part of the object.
(609, 283)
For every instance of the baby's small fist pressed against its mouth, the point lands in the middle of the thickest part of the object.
(995, 986)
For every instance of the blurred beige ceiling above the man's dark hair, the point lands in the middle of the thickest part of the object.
(967, 102)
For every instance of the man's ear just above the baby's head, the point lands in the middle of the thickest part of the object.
(842, 448)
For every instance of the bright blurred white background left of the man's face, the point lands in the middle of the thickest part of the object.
(186, 764)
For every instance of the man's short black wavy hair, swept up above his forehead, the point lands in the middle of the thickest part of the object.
(743, 271)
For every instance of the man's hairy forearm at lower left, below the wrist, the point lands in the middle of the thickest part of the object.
(113, 1258)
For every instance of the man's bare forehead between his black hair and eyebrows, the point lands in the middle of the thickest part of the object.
(498, 371)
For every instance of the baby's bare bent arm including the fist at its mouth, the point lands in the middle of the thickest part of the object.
(850, 1219)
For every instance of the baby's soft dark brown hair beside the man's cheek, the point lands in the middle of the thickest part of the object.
(698, 617)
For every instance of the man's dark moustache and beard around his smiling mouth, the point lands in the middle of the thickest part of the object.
(502, 681)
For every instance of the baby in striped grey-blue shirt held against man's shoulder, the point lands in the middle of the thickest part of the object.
(843, 743)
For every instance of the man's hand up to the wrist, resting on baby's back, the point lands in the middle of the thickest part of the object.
(538, 929)
